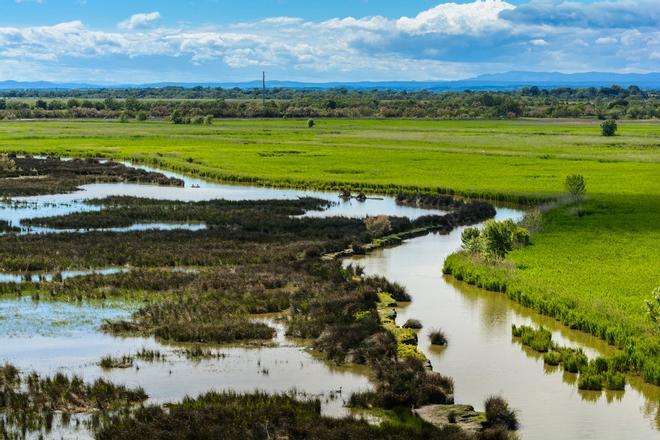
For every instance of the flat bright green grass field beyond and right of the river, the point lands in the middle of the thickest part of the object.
(602, 265)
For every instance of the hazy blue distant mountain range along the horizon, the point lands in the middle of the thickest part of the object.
(496, 81)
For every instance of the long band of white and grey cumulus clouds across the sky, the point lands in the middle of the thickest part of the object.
(447, 41)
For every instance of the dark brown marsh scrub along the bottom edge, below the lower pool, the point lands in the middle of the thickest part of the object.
(229, 415)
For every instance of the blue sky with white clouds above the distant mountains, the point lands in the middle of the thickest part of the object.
(124, 41)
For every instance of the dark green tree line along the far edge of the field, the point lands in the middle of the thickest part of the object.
(187, 104)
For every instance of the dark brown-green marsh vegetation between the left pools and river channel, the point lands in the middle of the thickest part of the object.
(255, 258)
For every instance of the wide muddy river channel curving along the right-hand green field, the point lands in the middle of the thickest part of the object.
(483, 359)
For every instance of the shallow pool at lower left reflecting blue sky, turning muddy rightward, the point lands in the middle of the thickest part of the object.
(62, 337)
